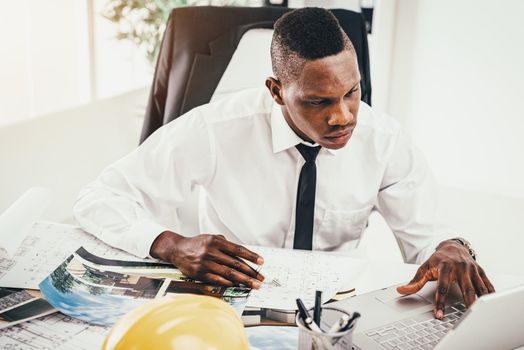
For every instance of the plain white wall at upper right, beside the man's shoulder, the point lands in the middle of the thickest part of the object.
(457, 87)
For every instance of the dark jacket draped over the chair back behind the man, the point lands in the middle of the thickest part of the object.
(198, 44)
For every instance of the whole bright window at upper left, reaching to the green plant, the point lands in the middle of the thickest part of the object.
(58, 54)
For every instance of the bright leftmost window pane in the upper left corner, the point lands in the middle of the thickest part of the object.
(42, 69)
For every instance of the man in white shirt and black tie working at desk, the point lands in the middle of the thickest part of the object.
(289, 168)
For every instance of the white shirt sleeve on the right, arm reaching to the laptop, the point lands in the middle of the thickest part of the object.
(408, 201)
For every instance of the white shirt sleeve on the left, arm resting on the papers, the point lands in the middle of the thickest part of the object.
(135, 199)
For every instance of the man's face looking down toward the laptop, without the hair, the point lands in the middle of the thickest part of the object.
(321, 106)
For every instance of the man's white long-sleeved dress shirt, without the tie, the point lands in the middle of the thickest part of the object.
(241, 152)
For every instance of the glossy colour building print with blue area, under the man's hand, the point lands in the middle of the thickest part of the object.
(100, 291)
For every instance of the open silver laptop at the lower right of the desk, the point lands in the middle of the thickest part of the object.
(392, 321)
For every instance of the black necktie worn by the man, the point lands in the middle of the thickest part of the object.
(306, 199)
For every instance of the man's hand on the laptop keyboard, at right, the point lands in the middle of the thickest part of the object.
(450, 263)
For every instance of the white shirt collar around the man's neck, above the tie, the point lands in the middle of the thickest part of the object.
(283, 136)
